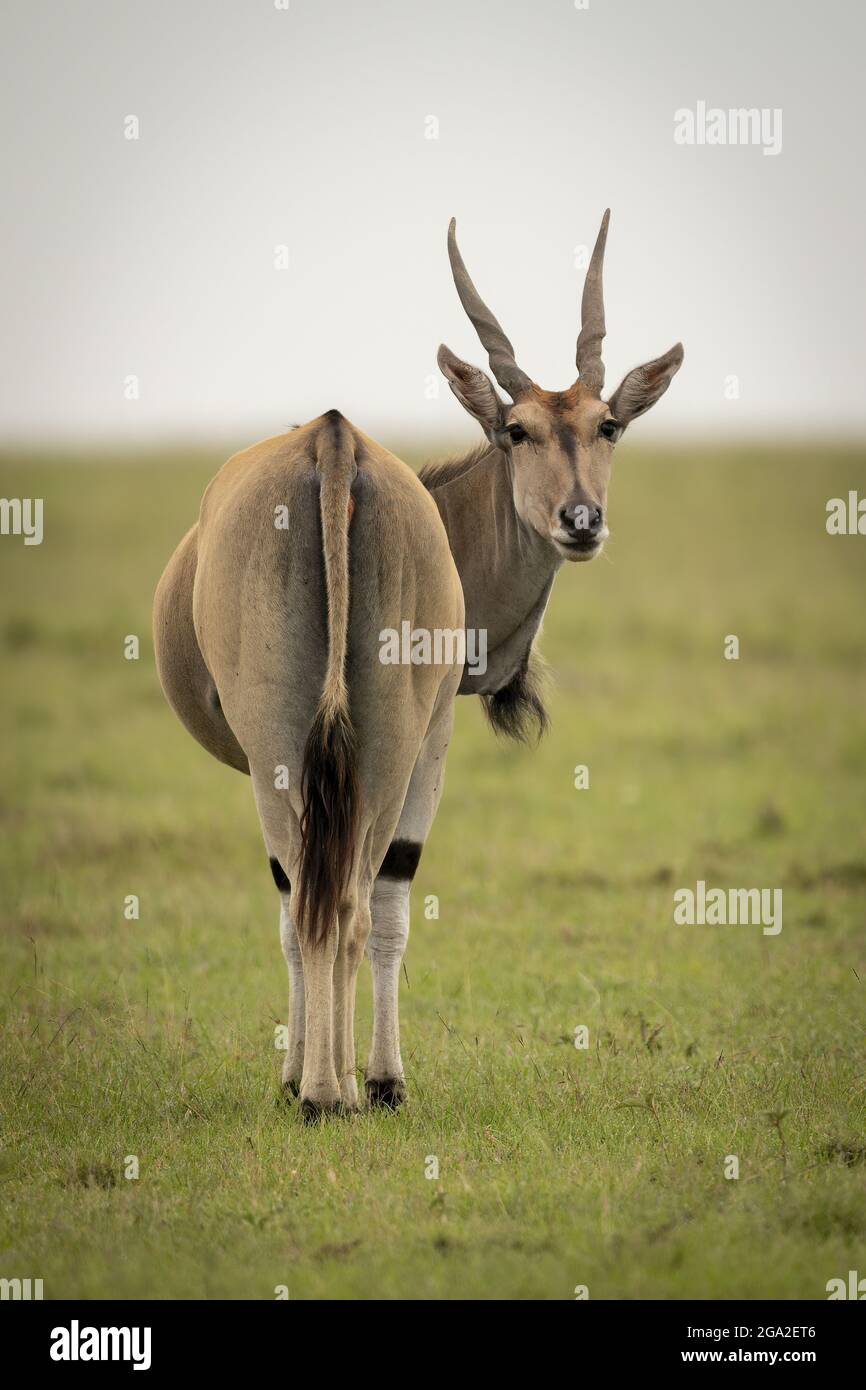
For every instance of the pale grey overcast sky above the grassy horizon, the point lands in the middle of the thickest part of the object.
(309, 127)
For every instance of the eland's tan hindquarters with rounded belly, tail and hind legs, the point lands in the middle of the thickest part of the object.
(268, 629)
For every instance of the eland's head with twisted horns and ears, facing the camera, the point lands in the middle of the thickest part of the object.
(559, 444)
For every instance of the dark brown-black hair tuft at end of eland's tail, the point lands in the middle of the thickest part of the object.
(329, 825)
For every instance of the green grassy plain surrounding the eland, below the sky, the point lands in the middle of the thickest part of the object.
(558, 1167)
